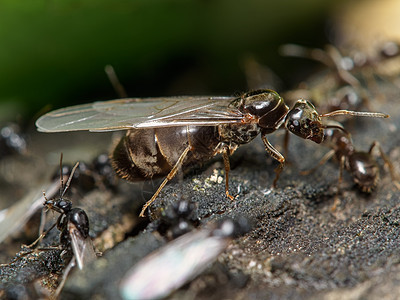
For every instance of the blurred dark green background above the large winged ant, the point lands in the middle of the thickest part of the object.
(54, 52)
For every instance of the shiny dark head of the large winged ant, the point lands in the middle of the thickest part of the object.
(304, 121)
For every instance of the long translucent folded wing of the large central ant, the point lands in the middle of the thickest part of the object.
(141, 113)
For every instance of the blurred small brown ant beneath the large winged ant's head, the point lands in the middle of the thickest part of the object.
(360, 164)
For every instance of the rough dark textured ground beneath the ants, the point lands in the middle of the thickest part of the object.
(308, 240)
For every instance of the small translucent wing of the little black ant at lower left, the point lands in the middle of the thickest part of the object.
(82, 247)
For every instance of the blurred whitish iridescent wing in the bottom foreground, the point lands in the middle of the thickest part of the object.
(170, 267)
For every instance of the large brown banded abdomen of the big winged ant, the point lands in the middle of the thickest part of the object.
(152, 153)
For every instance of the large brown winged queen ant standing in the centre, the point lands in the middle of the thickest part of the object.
(165, 134)
